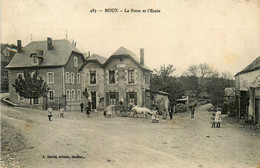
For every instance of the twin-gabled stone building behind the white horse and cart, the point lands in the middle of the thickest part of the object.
(121, 77)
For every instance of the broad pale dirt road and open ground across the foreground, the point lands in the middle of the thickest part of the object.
(28, 139)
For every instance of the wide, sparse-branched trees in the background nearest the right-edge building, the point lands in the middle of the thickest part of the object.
(202, 78)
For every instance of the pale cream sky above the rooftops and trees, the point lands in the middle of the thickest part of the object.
(222, 33)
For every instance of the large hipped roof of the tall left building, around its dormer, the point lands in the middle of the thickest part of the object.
(57, 56)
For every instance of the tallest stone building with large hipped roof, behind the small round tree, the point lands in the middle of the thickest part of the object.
(57, 61)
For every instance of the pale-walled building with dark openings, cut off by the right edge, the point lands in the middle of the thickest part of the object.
(248, 90)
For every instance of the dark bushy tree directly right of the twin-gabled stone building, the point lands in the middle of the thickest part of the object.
(164, 80)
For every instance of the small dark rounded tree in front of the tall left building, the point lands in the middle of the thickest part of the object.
(31, 86)
